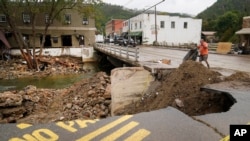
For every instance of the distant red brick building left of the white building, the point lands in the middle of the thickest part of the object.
(114, 27)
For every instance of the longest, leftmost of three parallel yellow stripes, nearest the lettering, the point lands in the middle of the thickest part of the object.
(104, 128)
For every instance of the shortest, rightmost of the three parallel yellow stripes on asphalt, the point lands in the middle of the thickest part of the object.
(138, 136)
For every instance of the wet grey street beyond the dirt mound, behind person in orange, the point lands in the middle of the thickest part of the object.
(230, 62)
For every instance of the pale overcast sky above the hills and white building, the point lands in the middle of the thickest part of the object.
(191, 7)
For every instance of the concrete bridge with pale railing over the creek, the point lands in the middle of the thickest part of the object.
(134, 56)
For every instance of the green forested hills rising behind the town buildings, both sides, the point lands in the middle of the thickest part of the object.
(224, 17)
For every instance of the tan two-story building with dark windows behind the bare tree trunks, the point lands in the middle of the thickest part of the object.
(63, 33)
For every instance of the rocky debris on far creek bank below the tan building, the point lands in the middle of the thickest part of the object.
(17, 67)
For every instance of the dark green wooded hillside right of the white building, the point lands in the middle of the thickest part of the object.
(225, 17)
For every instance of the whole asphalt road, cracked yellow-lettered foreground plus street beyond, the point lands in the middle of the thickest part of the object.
(161, 125)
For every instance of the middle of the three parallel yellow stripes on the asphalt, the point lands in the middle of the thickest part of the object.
(120, 132)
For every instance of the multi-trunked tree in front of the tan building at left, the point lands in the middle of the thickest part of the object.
(54, 8)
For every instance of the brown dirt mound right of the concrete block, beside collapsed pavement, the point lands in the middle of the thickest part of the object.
(181, 89)
